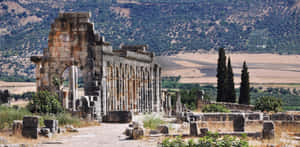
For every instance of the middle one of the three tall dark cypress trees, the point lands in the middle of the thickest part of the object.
(230, 91)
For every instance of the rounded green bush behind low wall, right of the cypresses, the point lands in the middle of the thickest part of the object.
(268, 103)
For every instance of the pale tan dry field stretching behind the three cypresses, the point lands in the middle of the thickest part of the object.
(263, 68)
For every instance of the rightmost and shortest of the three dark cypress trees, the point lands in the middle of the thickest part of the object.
(245, 87)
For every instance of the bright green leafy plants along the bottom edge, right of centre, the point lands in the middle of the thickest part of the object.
(211, 140)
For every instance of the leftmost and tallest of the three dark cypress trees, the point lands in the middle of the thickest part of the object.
(221, 76)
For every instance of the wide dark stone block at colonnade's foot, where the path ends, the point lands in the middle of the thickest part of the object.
(118, 117)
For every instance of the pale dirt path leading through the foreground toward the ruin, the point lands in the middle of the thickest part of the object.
(106, 135)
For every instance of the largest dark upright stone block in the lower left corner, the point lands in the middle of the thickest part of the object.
(30, 126)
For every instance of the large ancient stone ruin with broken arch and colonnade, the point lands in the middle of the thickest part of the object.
(127, 79)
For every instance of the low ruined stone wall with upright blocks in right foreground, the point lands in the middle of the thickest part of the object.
(257, 125)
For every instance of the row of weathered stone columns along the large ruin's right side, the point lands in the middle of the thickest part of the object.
(129, 88)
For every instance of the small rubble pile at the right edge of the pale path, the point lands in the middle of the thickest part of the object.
(134, 131)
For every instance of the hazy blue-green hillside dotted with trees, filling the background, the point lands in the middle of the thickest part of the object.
(167, 26)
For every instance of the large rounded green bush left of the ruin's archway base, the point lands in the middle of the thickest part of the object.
(45, 102)
